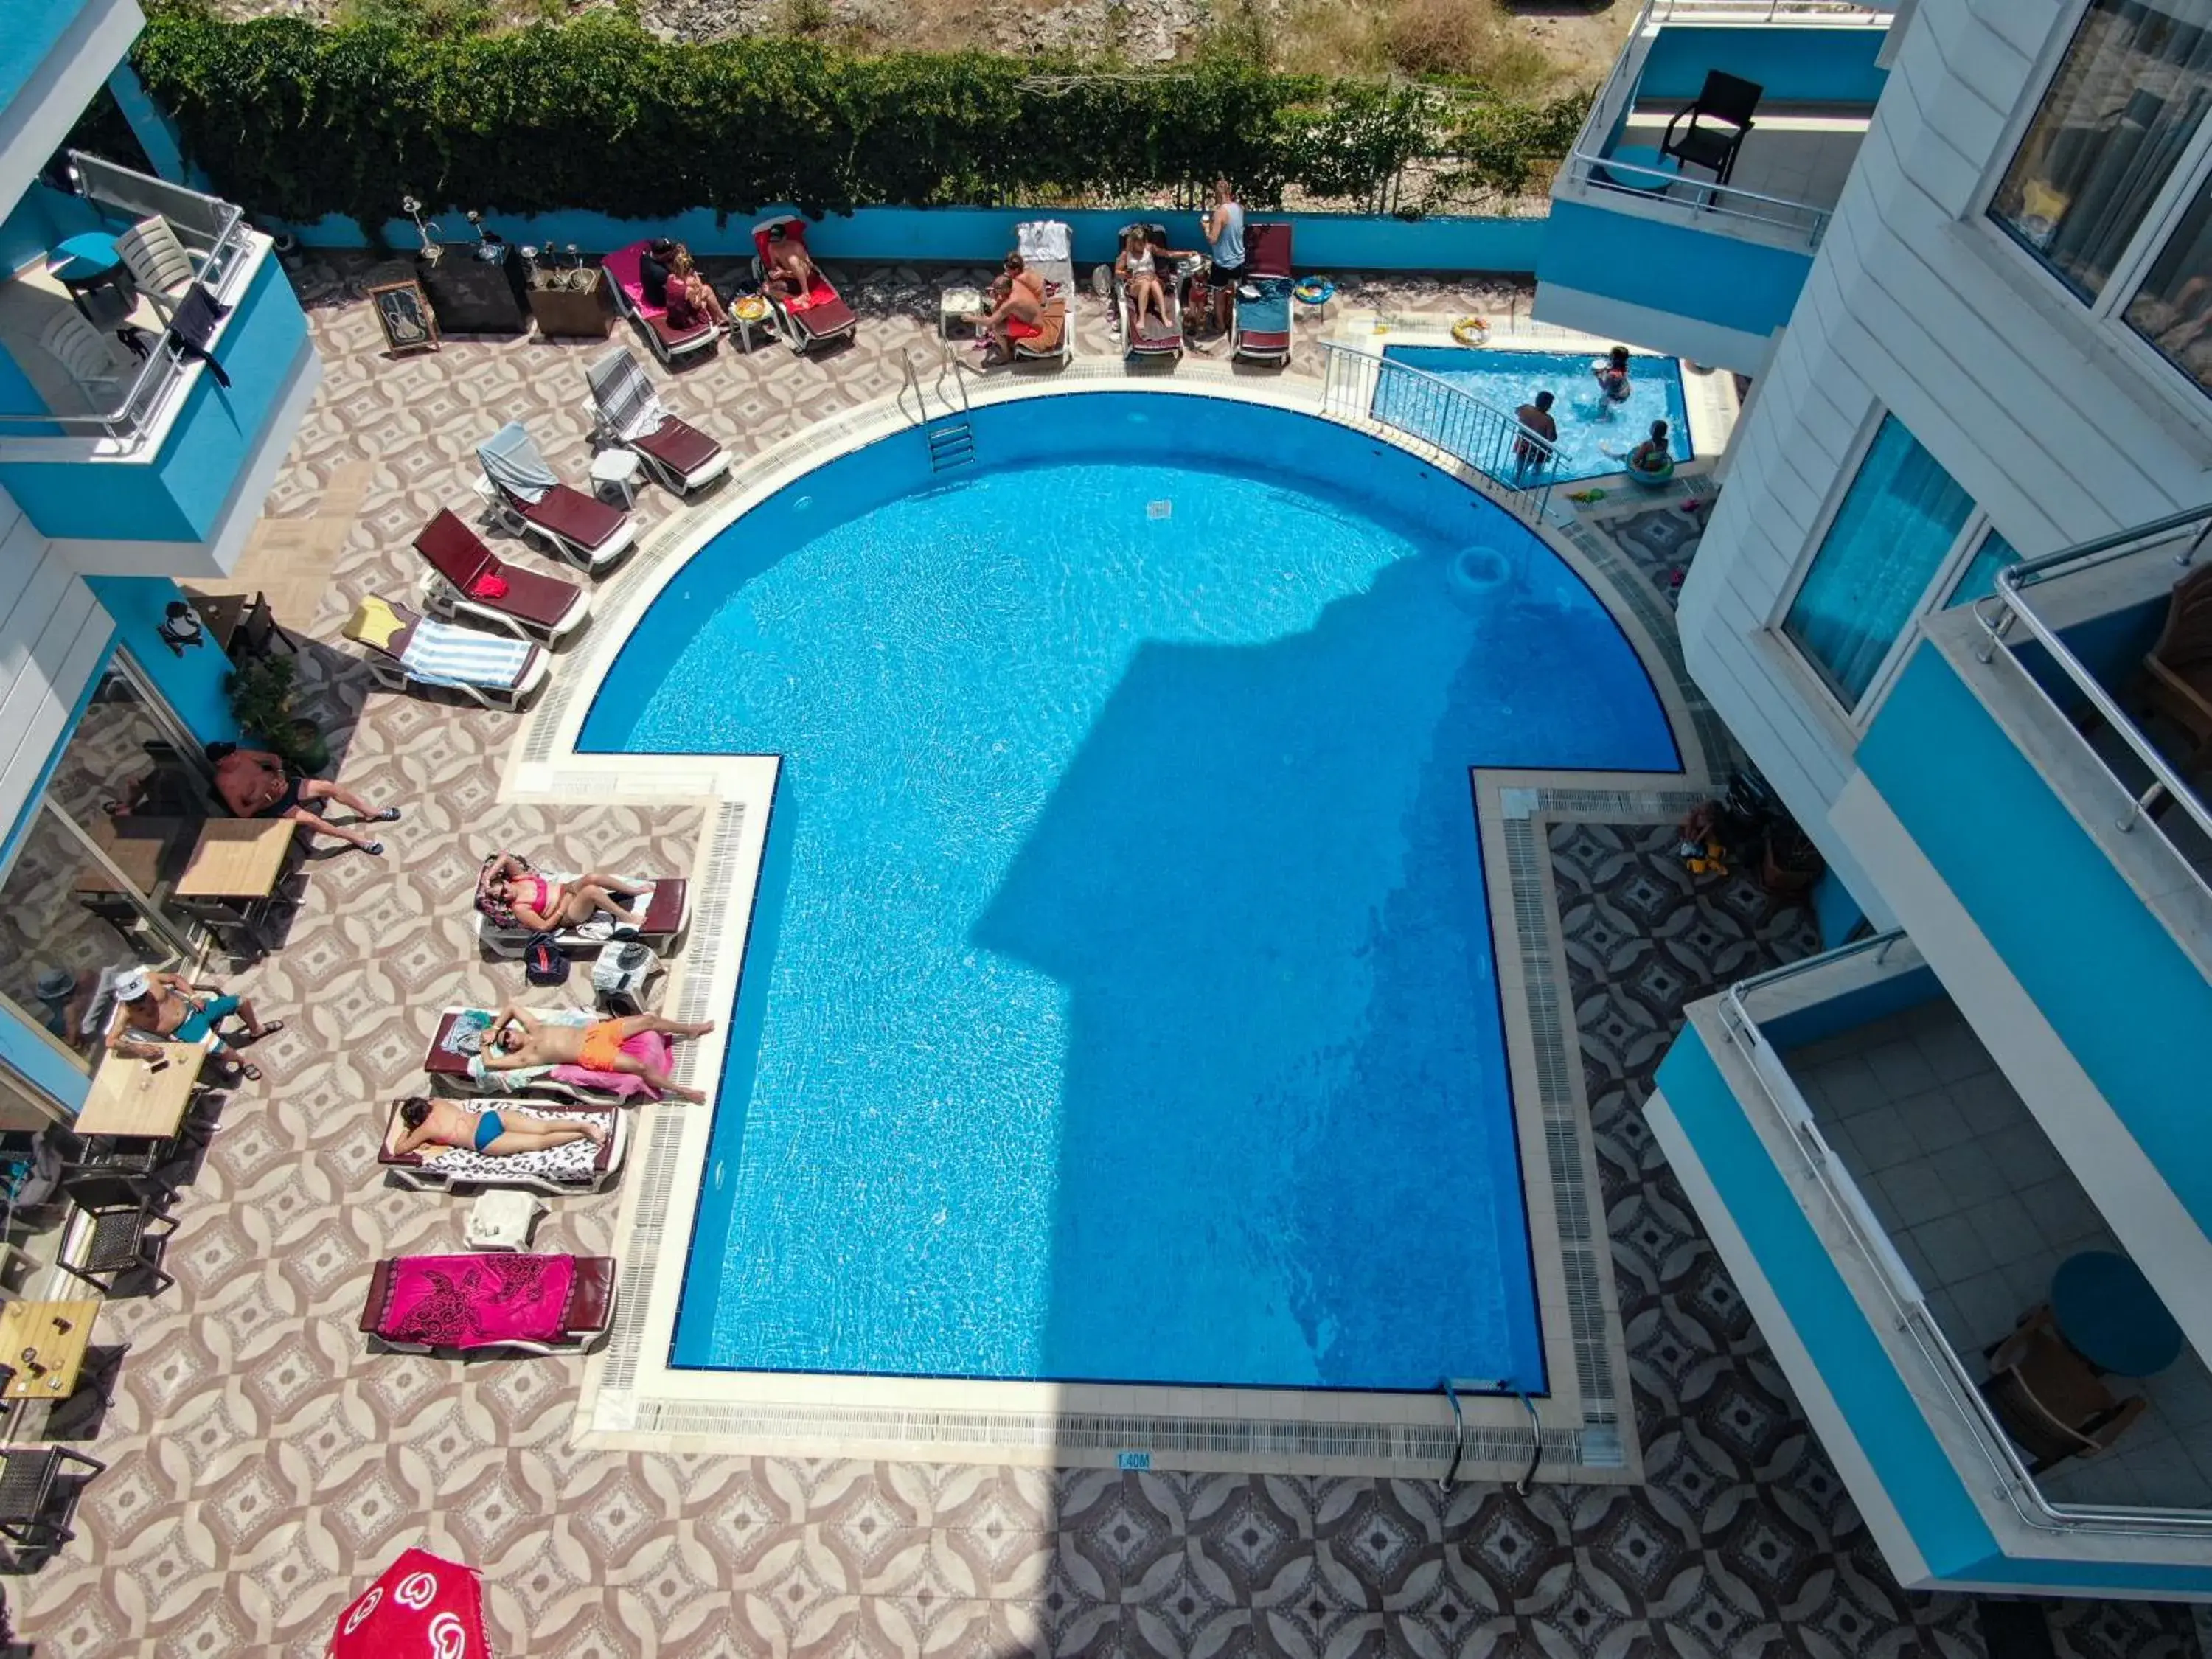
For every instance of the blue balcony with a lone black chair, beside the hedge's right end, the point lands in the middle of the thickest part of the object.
(1678, 262)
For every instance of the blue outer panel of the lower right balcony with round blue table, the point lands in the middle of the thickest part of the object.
(1903, 1452)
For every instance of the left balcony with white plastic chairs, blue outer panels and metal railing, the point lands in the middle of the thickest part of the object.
(147, 463)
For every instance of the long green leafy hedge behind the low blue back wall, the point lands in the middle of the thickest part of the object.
(295, 121)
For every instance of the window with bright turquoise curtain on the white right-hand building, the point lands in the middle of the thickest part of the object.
(1881, 552)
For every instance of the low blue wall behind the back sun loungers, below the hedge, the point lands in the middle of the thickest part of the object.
(983, 236)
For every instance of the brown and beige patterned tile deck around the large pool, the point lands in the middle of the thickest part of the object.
(264, 1463)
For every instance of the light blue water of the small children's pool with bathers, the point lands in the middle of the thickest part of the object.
(1596, 435)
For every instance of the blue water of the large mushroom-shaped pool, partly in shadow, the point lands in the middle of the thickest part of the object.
(1120, 994)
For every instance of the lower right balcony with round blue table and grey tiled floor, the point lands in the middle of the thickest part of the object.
(1892, 1209)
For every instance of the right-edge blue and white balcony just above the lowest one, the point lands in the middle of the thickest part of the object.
(2034, 822)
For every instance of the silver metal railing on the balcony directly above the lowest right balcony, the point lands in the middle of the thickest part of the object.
(2182, 539)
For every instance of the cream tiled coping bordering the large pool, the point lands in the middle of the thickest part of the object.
(636, 1399)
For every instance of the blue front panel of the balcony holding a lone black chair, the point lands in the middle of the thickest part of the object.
(1671, 269)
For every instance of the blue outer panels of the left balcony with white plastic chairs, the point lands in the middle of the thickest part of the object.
(180, 494)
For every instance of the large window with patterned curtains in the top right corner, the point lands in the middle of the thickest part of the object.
(2111, 187)
